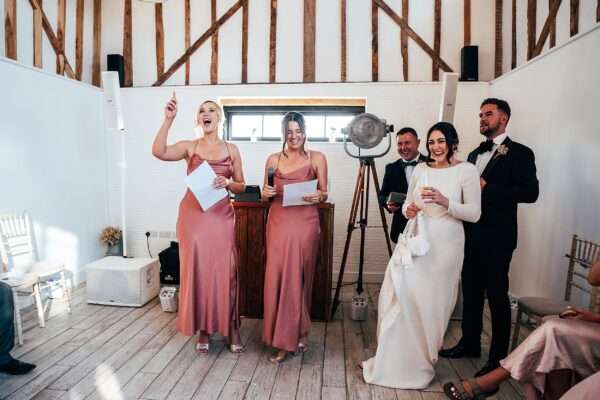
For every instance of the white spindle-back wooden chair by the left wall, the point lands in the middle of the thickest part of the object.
(27, 274)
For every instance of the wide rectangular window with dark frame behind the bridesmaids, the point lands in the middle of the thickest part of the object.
(324, 123)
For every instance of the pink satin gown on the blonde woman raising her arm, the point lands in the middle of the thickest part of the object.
(208, 260)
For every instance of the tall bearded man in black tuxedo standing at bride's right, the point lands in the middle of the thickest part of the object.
(508, 177)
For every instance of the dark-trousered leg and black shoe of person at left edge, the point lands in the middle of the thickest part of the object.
(9, 365)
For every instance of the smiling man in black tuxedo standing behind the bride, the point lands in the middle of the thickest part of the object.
(397, 175)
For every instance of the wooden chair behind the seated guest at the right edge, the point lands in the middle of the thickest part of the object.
(582, 256)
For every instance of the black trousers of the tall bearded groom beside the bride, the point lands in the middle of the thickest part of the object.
(485, 271)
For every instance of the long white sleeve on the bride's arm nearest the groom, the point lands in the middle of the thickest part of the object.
(470, 208)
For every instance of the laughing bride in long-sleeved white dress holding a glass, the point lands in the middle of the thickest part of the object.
(417, 296)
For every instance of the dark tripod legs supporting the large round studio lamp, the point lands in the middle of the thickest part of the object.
(361, 199)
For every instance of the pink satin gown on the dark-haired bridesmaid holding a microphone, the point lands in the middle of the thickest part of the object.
(292, 245)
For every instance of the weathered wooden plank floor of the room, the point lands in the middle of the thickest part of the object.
(100, 353)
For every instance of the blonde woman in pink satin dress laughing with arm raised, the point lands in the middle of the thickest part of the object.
(208, 298)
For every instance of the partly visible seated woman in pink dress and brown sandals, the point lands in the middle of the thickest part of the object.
(558, 354)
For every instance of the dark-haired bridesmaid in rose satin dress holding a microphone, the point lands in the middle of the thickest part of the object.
(292, 241)
